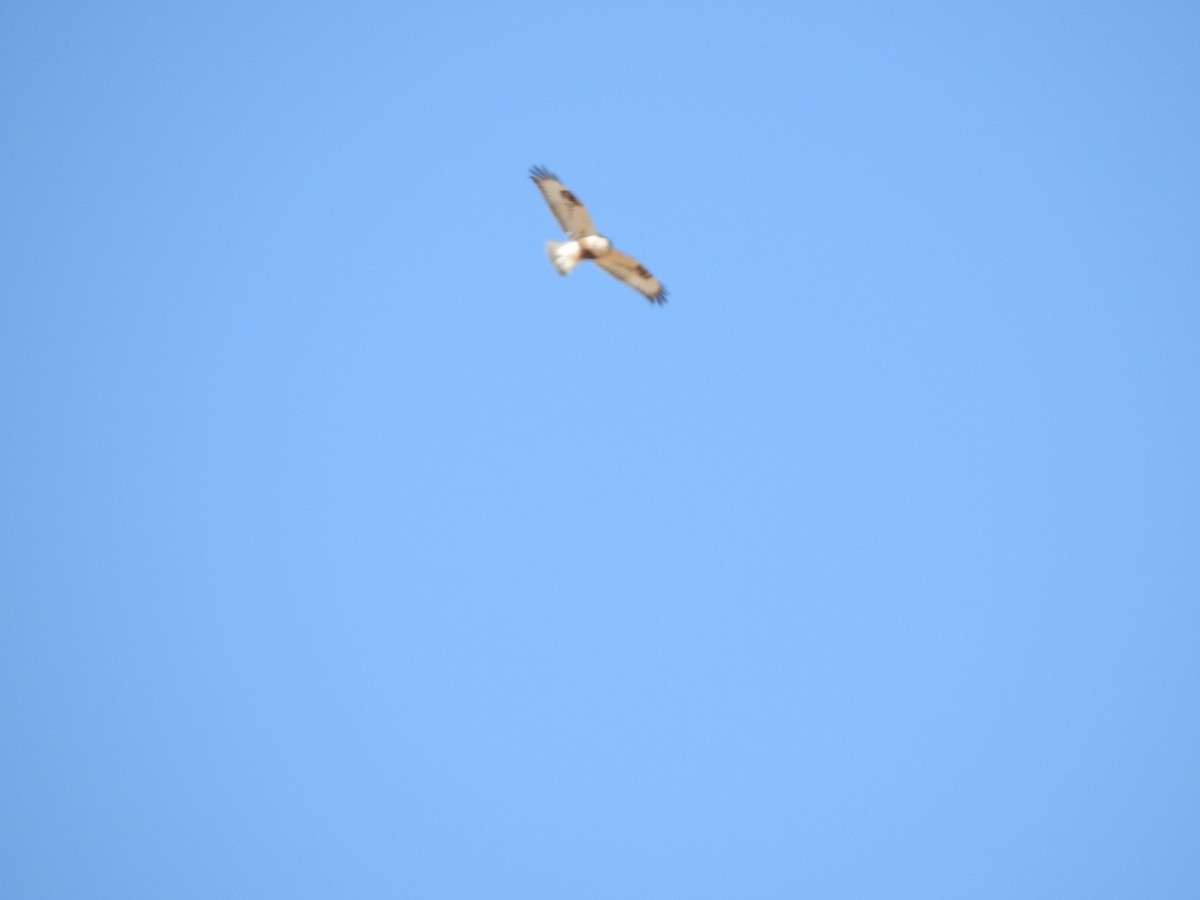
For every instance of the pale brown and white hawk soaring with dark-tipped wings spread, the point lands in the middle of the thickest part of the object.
(586, 244)
